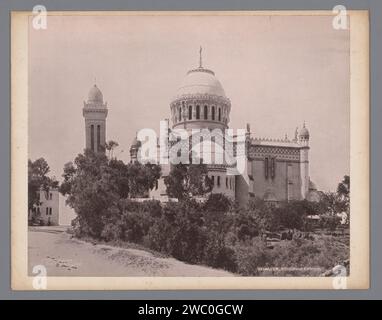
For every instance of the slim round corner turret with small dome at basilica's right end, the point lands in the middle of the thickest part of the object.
(303, 140)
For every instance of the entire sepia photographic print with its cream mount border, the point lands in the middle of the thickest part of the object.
(190, 150)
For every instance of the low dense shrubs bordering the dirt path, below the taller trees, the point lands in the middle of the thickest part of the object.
(218, 234)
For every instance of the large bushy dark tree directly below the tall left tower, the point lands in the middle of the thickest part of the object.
(95, 185)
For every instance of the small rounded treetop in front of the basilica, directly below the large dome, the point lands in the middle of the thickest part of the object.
(187, 181)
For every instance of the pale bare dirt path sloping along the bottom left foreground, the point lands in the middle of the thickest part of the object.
(65, 256)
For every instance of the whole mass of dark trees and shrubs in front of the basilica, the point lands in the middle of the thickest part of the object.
(216, 233)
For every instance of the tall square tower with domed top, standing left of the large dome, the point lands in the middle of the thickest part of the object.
(95, 113)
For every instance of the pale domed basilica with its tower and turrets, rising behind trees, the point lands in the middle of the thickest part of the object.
(275, 169)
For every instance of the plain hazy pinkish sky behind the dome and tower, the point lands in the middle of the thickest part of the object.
(277, 72)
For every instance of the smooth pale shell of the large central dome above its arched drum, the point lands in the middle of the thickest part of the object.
(200, 81)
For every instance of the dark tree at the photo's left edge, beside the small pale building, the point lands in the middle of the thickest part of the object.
(38, 180)
